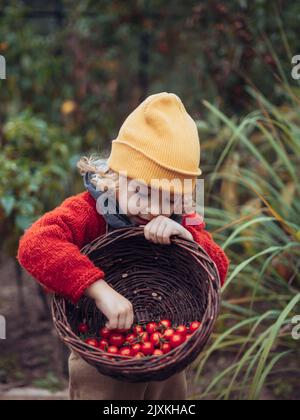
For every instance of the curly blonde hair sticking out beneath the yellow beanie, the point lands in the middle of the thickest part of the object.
(104, 178)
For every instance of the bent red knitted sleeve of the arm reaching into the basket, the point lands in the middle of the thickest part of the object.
(50, 249)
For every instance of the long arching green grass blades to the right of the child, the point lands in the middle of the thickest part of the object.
(259, 171)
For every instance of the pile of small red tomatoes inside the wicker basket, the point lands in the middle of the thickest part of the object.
(152, 339)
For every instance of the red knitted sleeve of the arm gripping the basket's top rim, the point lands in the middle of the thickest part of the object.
(194, 223)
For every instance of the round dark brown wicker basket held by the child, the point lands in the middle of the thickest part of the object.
(179, 282)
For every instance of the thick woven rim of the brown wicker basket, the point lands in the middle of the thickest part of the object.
(74, 342)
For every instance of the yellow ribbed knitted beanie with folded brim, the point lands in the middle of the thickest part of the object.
(158, 140)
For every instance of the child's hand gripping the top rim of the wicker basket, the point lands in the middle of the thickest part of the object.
(161, 228)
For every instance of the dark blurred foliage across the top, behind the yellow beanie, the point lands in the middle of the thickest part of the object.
(80, 51)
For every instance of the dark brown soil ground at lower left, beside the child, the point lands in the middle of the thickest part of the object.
(31, 354)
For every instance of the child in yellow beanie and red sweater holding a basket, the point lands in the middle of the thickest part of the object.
(158, 141)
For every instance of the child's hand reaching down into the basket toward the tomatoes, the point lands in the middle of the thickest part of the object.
(117, 309)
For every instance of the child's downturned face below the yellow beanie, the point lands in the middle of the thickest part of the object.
(142, 205)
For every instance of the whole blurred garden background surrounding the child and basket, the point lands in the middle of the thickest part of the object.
(74, 71)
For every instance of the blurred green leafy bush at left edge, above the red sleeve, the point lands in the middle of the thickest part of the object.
(36, 165)
